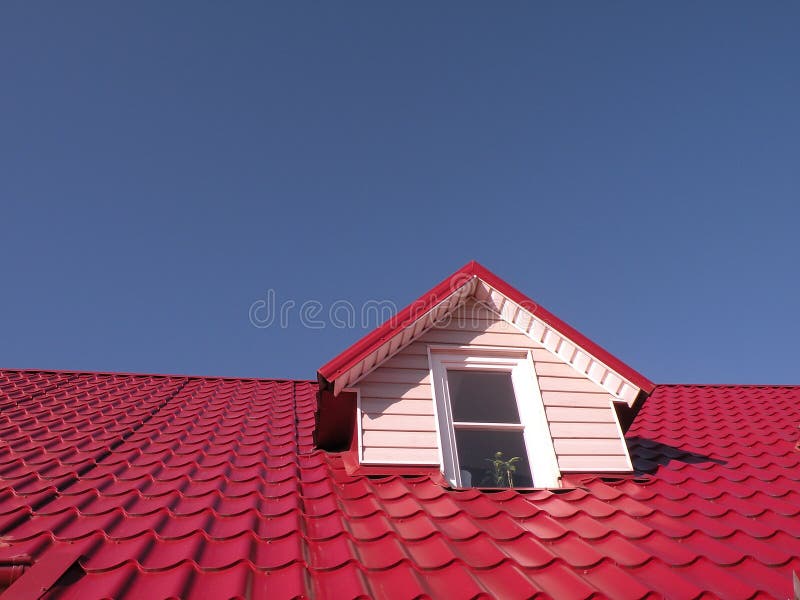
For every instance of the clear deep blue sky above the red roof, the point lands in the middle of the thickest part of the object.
(633, 167)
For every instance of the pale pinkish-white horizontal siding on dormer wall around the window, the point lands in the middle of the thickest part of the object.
(398, 423)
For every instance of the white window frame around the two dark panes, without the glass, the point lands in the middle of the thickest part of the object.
(536, 432)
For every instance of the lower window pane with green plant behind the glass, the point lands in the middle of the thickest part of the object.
(480, 465)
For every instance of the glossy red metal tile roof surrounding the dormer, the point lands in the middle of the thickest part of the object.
(159, 486)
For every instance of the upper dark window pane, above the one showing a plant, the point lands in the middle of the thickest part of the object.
(482, 396)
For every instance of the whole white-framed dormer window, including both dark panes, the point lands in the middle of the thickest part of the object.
(492, 423)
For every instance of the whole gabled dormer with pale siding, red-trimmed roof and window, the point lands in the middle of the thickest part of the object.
(477, 381)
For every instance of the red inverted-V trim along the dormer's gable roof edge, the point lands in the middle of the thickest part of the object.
(417, 309)
